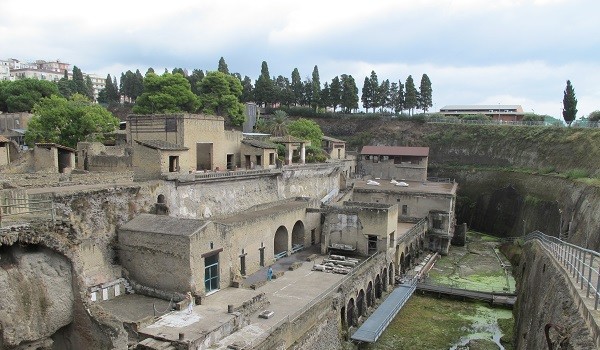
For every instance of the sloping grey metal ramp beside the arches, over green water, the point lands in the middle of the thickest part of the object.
(372, 328)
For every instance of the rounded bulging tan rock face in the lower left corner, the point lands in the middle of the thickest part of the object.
(37, 298)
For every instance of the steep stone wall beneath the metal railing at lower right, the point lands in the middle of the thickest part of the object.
(545, 295)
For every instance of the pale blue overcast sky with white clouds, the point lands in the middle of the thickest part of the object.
(474, 51)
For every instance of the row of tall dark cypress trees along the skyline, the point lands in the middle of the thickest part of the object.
(342, 92)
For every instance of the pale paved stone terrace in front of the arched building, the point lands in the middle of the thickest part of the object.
(287, 295)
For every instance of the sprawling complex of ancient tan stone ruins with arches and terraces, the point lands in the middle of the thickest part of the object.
(178, 204)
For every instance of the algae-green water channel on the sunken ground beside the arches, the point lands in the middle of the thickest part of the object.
(429, 322)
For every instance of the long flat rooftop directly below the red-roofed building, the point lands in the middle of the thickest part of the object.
(385, 185)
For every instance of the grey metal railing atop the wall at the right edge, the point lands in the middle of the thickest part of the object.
(582, 264)
